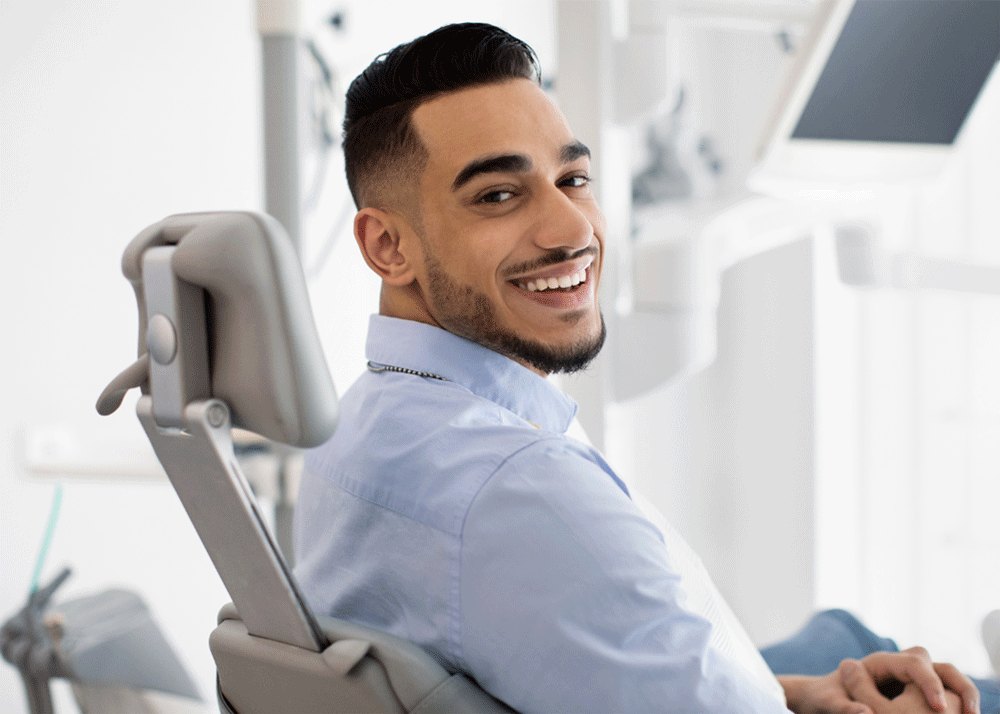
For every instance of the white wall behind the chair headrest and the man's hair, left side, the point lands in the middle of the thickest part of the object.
(114, 115)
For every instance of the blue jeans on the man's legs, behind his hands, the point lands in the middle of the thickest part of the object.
(836, 635)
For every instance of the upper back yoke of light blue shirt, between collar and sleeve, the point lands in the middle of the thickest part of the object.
(419, 447)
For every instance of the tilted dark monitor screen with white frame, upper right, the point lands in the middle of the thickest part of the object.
(885, 90)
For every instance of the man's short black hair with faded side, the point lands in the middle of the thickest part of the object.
(379, 139)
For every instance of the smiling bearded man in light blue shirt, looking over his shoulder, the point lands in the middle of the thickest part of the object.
(450, 508)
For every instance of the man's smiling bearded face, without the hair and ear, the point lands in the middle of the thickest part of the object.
(511, 234)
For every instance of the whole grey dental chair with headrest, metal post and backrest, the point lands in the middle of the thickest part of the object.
(227, 340)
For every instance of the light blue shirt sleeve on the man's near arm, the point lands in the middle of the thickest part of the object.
(569, 601)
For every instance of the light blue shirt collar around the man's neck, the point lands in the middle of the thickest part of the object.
(424, 348)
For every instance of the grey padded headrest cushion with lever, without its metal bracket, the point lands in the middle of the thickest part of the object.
(264, 354)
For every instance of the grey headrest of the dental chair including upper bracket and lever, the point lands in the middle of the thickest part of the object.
(254, 326)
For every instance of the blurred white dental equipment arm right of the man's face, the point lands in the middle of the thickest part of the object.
(667, 330)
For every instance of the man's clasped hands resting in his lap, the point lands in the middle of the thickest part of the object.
(913, 668)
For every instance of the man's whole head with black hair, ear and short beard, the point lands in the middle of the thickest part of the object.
(474, 197)
